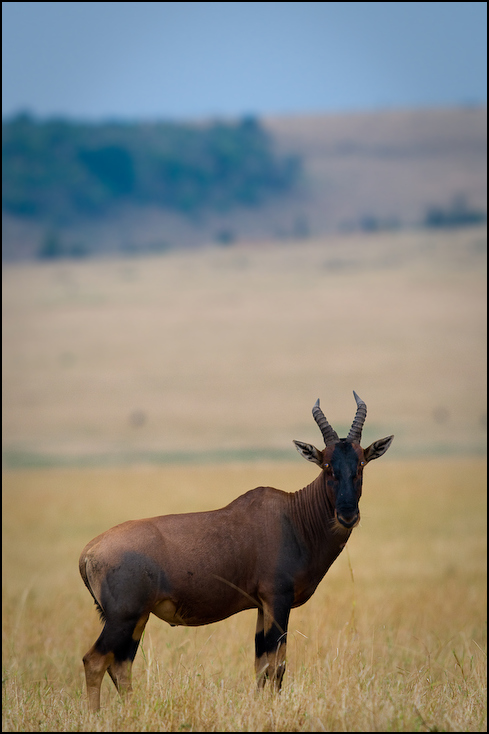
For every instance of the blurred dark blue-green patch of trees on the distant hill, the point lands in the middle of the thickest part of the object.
(58, 171)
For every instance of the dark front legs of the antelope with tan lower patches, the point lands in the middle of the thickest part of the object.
(271, 645)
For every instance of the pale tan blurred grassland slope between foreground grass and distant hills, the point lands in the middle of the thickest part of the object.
(225, 350)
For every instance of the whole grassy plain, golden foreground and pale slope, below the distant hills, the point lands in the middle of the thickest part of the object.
(143, 387)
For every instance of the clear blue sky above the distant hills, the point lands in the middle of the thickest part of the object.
(153, 60)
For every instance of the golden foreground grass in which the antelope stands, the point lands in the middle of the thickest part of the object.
(394, 638)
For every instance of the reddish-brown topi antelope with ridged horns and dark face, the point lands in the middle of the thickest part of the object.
(268, 550)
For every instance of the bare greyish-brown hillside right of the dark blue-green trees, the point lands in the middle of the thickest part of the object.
(389, 164)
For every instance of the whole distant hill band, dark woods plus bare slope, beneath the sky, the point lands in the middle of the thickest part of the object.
(73, 189)
